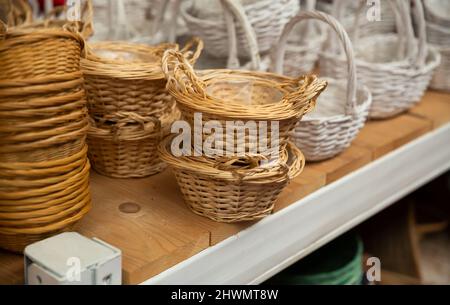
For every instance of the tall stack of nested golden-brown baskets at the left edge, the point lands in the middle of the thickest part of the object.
(44, 170)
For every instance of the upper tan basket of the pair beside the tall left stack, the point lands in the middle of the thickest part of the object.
(123, 77)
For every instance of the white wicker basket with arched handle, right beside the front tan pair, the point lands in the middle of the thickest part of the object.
(339, 115)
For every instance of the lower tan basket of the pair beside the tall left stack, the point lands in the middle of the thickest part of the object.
(127, 146)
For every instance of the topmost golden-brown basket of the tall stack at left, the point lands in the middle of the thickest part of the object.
(26, 54)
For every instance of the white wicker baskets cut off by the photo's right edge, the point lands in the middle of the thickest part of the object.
(437, 13)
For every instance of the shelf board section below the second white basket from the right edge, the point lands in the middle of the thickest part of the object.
(384, 136)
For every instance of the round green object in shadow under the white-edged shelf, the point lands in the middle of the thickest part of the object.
(337, 263)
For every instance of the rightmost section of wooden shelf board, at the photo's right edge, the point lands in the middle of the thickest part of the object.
(435, 107)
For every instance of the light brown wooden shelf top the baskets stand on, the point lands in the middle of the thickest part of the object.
(165, 232)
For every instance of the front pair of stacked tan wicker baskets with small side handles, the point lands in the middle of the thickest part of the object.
(229, 182)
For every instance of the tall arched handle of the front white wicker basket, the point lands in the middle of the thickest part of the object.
(343, 36)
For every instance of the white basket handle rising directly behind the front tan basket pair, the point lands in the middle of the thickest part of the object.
(234, 8)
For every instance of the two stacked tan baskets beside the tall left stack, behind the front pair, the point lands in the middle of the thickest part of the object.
(129, 107)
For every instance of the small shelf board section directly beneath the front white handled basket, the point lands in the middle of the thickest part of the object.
(348, 161)
